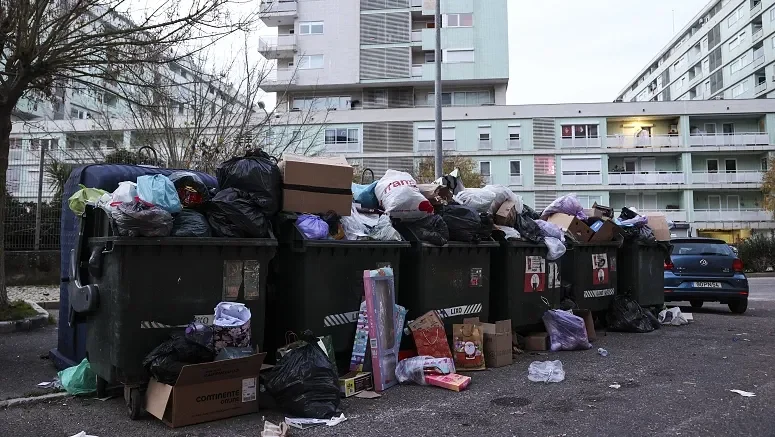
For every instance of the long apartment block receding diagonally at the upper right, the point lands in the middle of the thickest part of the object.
(726, 52)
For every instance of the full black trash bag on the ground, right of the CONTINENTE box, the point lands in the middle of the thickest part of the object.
(304, 383)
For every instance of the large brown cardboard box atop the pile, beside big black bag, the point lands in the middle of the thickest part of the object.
(316, 185)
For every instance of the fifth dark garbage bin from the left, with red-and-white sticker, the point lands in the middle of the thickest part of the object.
(591, 269)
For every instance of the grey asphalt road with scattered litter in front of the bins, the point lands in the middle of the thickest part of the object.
(674, 381)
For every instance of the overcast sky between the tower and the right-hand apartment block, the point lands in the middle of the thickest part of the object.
(570, 51)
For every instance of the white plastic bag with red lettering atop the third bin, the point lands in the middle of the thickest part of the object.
(398, 194)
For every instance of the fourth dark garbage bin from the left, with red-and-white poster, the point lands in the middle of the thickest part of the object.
(524, 284)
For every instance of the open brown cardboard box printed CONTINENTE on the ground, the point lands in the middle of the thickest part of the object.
(206, 392)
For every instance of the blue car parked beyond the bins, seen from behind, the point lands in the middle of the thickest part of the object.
(705, 270)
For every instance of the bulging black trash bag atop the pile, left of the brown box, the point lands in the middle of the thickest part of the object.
(255, 174)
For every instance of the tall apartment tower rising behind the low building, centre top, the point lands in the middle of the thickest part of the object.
(370, 54)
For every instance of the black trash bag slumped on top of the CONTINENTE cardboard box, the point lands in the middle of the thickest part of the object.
(167, 360)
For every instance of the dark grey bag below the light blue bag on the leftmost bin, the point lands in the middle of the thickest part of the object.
(140, 219)
